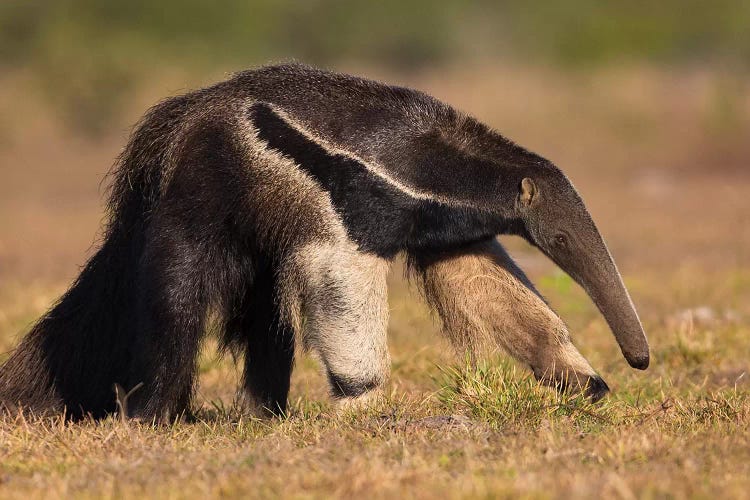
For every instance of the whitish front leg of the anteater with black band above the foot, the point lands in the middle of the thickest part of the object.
(344, 317)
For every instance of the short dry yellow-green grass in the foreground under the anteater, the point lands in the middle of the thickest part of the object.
(445, 429)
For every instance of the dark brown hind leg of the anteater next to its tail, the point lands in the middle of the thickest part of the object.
(169, 320)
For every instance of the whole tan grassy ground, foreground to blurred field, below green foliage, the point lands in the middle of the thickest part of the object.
(660, 158)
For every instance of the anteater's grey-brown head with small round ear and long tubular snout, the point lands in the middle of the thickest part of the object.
(555, 220)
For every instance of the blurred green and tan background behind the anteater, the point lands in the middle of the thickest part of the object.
(646, 105)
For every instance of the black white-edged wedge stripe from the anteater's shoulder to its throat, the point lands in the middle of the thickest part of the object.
(380, 218)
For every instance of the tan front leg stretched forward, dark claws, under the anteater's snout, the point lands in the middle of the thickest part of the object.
(482, 297)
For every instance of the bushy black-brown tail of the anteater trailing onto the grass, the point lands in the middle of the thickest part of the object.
(76, 352)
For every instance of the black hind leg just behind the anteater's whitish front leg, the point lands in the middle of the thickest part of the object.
(255, 326)
